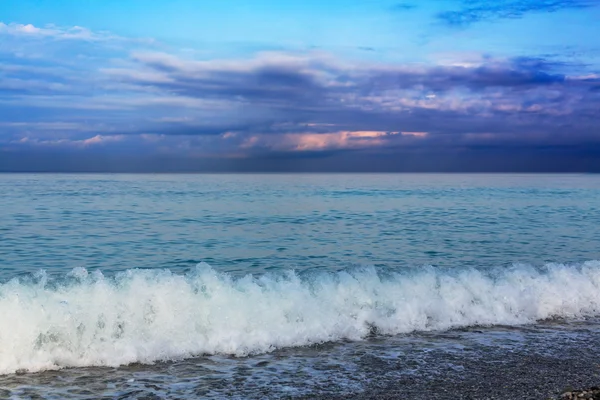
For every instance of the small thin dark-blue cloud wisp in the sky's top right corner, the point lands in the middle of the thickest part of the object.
(474, 11)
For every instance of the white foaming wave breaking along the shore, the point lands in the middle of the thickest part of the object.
(145, 316)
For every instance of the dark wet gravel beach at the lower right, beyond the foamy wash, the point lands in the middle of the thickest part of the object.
(562, 366)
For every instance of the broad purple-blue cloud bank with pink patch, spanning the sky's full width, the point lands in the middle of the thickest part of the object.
(297, 105)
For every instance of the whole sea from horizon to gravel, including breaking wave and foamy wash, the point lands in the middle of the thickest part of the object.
(274, 285)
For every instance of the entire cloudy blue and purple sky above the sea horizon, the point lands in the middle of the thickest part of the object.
(300, 86)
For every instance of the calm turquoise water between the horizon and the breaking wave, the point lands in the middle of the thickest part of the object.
(256, 223)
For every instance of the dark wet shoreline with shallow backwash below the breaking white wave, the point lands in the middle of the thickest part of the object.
(502, 363)
